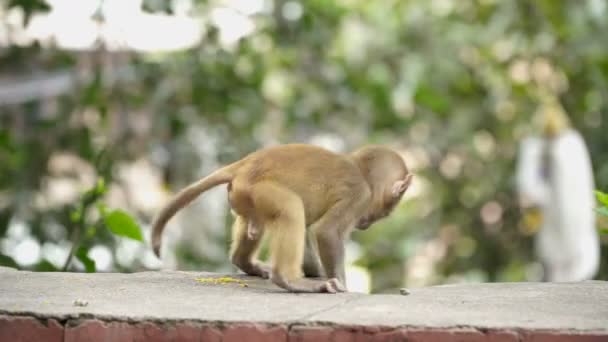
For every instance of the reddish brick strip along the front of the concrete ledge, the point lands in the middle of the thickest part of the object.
(27, 328)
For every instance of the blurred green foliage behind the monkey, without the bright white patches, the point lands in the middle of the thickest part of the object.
(453, 83)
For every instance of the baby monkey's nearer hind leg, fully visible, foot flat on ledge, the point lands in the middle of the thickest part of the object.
(282, 215)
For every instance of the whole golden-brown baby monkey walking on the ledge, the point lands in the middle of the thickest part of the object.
(308, 199)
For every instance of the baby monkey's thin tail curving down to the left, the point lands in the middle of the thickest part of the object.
(184, 197)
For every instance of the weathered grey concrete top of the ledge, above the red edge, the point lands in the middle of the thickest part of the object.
(176, 297)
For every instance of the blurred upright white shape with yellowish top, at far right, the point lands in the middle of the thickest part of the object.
(554, 174)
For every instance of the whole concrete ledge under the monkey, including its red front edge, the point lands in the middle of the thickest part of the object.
(155, 306)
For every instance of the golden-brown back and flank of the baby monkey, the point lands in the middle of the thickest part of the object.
(318, 176)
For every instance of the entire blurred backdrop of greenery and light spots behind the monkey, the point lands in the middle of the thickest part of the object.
(117, 104)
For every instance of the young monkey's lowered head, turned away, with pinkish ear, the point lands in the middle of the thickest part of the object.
(388, 177)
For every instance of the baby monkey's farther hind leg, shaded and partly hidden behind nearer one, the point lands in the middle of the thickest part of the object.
(244, 249)
